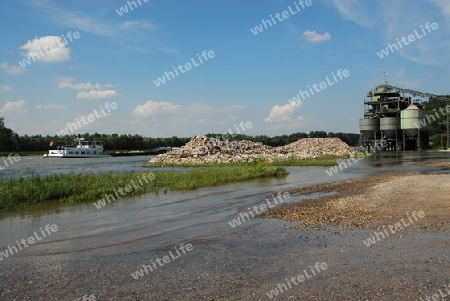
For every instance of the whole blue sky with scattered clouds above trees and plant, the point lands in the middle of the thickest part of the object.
(117, 58)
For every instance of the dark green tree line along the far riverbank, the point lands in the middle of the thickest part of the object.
(11, 141)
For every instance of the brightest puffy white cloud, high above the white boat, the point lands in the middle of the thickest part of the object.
(47, 49)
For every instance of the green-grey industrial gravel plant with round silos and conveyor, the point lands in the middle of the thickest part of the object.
(396, 116)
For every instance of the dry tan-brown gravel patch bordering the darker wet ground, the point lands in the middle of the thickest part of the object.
(371, 202)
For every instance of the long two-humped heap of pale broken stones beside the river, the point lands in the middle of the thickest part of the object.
(211, 150)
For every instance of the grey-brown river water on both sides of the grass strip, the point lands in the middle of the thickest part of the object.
(157, 220)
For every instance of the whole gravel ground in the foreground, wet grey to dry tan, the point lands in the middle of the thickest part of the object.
(411, 264)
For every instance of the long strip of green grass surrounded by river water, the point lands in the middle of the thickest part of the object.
(24, 193)
